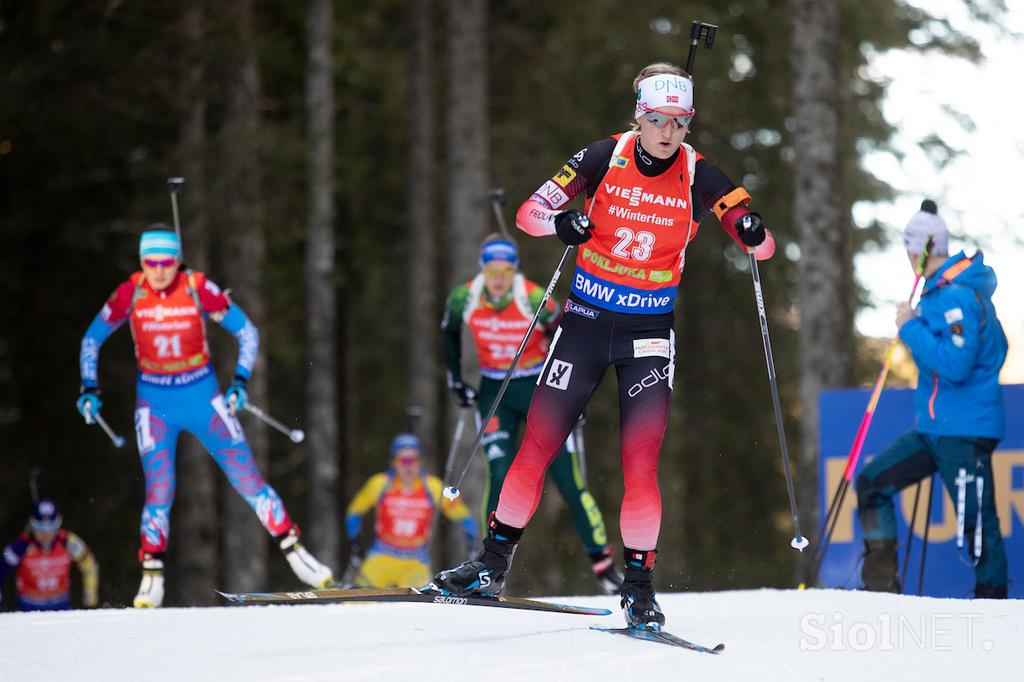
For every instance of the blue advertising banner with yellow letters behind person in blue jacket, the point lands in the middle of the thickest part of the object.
(946, 574)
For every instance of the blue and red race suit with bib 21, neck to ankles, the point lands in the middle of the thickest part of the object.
(178, 391)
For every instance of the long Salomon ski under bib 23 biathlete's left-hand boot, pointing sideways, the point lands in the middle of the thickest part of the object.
(422, 595)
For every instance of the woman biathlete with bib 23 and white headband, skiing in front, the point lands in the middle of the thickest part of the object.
(647, 193)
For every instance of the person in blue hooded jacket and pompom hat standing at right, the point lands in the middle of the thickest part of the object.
(959, 346)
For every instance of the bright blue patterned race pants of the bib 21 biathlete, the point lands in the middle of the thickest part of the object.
(200, 409)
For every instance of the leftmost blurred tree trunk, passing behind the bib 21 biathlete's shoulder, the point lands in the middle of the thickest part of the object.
(194, 562)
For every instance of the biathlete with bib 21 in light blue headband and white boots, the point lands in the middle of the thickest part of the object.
(167, 308)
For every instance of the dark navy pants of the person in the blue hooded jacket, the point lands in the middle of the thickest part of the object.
(915, 456)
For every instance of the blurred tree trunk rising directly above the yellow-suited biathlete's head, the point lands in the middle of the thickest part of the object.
(424, 347)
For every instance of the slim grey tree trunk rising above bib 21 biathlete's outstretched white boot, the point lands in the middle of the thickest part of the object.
(325, 531)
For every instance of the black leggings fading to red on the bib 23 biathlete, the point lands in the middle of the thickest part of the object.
(642, 348)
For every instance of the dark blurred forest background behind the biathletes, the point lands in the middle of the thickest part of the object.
(338, 157)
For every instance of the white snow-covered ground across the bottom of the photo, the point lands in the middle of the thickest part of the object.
(770, 635)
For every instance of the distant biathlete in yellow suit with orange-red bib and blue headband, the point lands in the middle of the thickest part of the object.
(405, 501)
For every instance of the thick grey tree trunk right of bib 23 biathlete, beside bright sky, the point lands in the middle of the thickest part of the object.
(822, 226)
